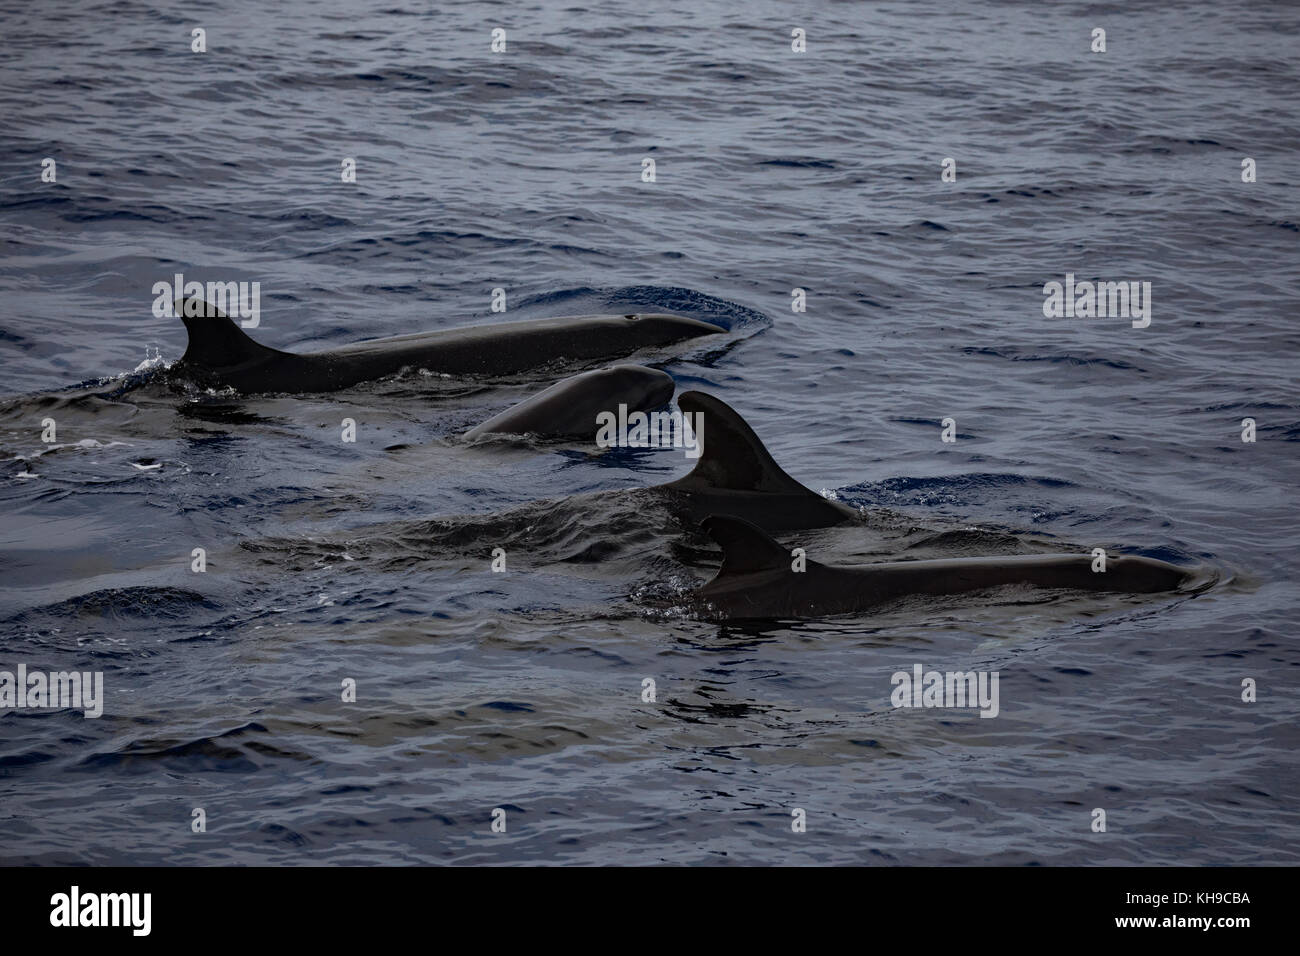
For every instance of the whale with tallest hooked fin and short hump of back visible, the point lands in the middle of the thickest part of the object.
(738, 477)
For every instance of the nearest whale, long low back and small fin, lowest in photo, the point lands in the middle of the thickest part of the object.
(759, 581)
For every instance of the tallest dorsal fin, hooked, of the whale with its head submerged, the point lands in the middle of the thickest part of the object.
(733, 457)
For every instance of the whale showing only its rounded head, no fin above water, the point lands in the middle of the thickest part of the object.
(570, 408)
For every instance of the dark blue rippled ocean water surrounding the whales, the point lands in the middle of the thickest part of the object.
(774, 171)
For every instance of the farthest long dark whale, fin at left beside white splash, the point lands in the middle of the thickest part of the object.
(220, 353)
